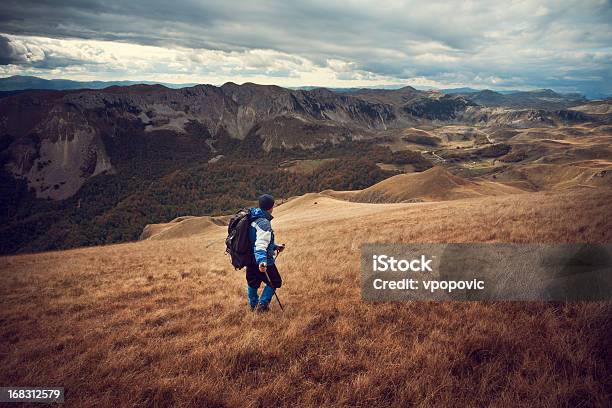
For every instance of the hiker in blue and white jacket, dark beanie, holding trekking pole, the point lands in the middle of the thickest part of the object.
(261, 237)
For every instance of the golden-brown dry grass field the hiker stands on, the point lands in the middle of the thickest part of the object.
(165, 322)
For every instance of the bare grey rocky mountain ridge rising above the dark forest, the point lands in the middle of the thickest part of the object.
(56, 140)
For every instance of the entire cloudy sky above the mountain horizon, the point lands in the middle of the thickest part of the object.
(564, 44)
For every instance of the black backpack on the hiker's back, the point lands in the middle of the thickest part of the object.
(238, 244)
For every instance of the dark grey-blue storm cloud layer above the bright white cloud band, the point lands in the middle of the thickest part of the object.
(526, 42)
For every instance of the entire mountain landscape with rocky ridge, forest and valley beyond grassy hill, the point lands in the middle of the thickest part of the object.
(93, 166)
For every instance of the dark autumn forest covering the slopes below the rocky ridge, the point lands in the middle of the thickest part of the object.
(159, 178)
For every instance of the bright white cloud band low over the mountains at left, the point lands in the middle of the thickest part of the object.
(94, 59)
